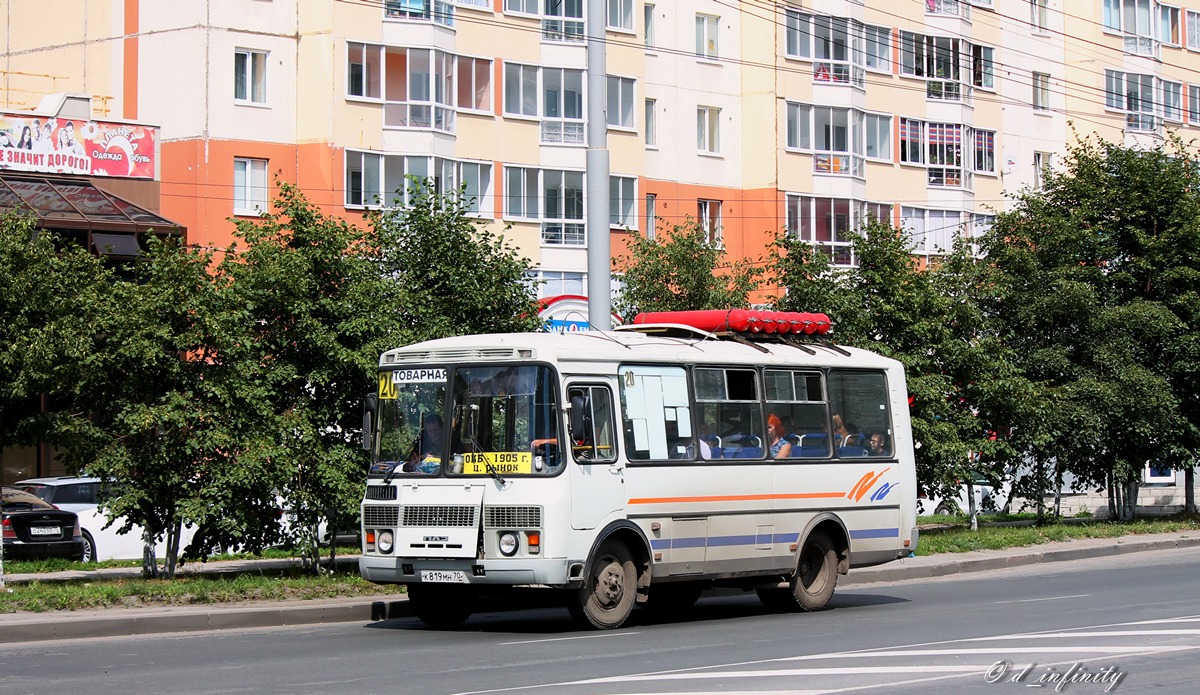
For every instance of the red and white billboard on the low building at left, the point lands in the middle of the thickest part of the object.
(59, 146)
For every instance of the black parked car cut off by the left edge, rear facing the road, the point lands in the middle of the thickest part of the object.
(35, 529)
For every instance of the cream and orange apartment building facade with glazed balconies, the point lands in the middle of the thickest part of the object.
(754, 118)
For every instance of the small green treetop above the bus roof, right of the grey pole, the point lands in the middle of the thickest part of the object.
(681, 272)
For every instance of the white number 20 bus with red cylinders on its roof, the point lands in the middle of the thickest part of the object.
(635, 466)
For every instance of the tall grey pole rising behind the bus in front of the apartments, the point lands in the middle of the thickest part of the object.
(597, 195)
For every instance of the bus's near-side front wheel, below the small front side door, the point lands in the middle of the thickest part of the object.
(608, 595)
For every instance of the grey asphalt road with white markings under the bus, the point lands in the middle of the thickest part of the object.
(1124, 624)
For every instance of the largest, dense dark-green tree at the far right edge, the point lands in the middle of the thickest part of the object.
(1096, 291)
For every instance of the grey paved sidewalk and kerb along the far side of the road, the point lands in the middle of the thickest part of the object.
(123, 622)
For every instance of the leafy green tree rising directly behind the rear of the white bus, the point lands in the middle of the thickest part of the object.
(927, 320)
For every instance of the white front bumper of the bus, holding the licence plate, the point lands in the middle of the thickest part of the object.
(521, 572)
